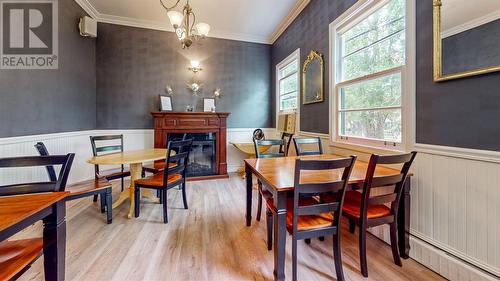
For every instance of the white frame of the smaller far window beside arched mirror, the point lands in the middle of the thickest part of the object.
(294, 56)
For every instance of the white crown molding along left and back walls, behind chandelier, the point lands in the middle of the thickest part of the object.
(162, 26)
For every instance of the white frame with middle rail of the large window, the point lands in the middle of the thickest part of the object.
(357, 13)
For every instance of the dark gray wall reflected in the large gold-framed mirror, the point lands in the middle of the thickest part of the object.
(472, 49)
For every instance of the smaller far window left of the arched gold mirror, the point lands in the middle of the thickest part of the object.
(288, 87)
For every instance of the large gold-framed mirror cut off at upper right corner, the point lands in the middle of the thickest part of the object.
(464, 42)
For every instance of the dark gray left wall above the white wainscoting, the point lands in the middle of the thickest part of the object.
(50, 101)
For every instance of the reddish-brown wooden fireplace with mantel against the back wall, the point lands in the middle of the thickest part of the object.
(207, 159)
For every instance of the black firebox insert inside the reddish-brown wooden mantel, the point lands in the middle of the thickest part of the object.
(202, 158)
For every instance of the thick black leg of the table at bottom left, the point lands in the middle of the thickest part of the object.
(54, 242)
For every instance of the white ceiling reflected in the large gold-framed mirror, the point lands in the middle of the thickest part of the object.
(461, 15)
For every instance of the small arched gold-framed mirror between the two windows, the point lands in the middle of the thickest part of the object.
(313, 78)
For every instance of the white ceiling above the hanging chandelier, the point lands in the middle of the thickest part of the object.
(246, 20)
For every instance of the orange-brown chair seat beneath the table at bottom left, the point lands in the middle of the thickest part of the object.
(16, 255)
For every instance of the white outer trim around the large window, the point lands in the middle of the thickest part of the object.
(352, 16)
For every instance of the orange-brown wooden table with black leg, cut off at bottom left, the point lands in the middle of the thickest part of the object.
(20, 211)
